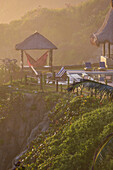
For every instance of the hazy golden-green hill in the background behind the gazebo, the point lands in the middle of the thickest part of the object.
(69, 29)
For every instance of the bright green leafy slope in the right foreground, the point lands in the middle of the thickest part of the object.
(78, 125)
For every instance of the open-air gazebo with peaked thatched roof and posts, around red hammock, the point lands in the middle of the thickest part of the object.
(36, 41)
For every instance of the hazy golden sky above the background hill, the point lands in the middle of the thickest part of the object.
(14, 9)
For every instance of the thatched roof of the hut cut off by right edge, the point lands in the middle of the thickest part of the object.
(105, 33)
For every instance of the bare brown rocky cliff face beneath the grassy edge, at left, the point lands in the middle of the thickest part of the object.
(21, 126)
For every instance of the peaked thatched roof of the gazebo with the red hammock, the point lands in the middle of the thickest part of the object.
(35, 41)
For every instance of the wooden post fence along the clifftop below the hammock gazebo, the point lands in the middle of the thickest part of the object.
(42, 83)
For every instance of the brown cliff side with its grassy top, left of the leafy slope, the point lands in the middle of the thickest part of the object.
(24, 111)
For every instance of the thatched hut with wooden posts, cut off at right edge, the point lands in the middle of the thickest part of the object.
(105, 36)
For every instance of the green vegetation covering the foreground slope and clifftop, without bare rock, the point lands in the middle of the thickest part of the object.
(78, 125)
